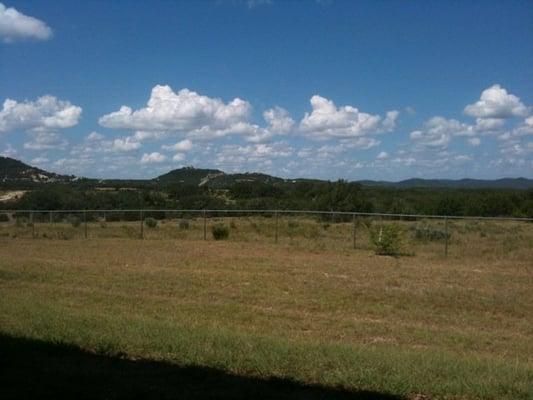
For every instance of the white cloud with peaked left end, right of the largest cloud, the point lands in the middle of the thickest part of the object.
(326, 121)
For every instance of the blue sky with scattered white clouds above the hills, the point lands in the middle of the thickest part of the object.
(330, 89)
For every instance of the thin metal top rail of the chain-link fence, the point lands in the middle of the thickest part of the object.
(311, 212)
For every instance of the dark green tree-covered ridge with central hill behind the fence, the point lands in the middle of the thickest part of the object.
(190, 188)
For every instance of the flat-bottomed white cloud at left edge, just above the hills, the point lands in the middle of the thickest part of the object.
(46, 113)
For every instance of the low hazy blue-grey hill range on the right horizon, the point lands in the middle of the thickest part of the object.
(466, 183)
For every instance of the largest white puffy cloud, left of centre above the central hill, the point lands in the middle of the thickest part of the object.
(196, 116)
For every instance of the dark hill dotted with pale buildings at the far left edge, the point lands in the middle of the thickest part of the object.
(15, 171)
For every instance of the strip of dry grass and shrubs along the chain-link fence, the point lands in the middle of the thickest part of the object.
(393, 234)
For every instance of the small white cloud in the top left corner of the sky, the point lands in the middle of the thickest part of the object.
(16, 26)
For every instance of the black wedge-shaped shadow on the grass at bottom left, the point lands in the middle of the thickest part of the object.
(36, 369)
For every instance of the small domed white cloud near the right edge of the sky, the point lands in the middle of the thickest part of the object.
(495, 102)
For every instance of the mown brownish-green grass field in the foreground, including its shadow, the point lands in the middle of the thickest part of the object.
(174, 316)
